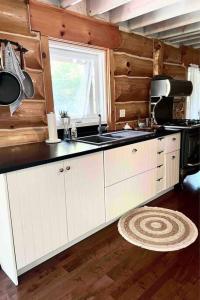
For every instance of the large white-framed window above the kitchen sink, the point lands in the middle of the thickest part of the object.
(79, 82)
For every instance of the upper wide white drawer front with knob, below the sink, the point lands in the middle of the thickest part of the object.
(127, 161)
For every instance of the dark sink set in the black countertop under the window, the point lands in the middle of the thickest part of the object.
(113, 137)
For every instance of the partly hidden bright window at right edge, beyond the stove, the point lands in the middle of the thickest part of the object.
(193, 102)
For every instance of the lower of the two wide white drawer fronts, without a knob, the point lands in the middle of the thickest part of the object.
(128, 194)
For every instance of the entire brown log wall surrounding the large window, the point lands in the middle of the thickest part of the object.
(133, 61)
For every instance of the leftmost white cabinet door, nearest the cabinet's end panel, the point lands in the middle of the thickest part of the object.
(38, 211)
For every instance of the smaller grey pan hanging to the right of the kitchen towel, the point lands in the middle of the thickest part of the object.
(27, 82)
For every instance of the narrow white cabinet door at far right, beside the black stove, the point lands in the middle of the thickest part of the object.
(172, 168)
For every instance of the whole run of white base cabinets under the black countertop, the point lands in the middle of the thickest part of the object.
(46, 208)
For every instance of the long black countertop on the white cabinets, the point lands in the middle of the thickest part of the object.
(24, 156)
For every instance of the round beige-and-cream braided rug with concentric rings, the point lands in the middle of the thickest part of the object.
(157, 229)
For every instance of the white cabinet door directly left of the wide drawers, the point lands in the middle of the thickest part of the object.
(84, 179)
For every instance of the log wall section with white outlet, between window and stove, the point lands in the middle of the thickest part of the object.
(131, 73)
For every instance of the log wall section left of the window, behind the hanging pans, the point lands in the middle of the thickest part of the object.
(28, 123)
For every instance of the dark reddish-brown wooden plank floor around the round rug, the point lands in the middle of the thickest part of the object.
(106, 267)
